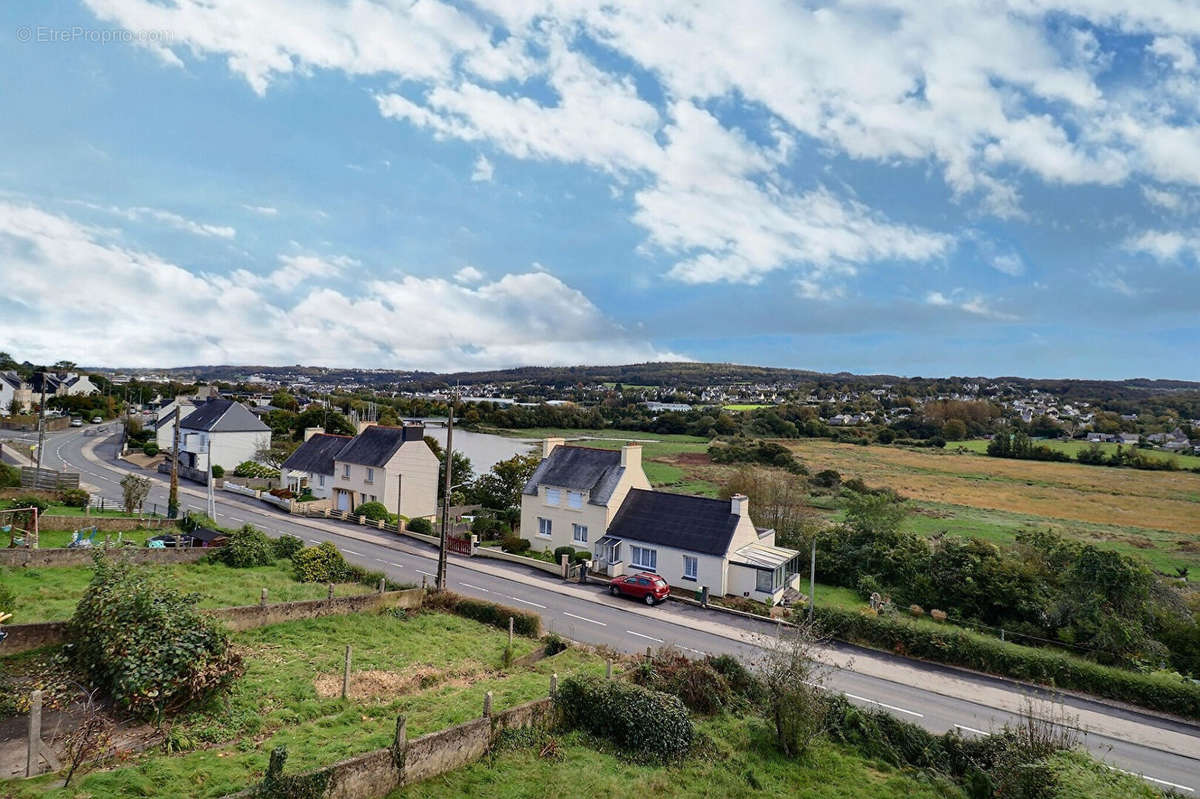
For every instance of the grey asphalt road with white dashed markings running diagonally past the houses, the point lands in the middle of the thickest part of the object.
(587, 615)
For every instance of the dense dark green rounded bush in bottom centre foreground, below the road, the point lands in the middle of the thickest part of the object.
(644, 723)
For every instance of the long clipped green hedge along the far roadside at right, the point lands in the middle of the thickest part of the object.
(1161, 692)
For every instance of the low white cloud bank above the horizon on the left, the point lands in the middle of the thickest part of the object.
(79, 283)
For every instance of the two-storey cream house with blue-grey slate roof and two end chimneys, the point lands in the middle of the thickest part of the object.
(575, 492)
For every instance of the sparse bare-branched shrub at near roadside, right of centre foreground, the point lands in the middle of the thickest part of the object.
(795, 696)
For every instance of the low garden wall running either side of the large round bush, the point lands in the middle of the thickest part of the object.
(23, 638)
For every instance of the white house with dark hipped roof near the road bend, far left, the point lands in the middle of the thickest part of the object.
(221, 432)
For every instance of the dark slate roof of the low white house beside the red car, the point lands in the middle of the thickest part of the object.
(692, 524)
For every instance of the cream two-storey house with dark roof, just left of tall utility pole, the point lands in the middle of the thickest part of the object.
(386, 465)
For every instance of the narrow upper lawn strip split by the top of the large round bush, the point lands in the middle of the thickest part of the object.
(52, 593)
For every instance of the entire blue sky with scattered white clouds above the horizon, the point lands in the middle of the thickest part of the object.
(899, 187)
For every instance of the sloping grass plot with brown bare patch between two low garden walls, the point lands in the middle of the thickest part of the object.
(278, 704)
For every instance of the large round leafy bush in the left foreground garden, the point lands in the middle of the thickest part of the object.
(146, 645)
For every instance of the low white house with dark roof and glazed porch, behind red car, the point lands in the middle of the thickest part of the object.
(695, 543)
